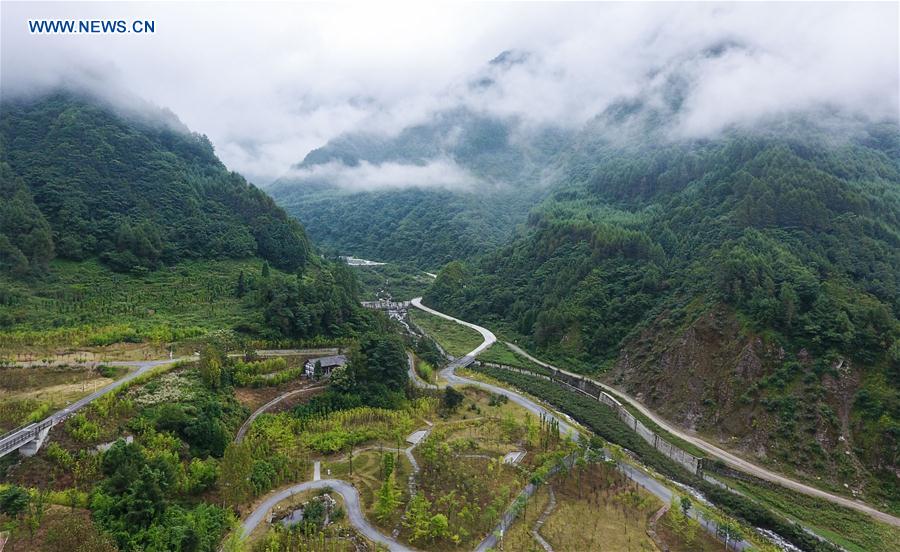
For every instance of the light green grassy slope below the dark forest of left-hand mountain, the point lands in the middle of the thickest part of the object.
(85, 304)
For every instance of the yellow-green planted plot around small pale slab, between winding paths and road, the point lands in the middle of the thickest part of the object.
(465, 485)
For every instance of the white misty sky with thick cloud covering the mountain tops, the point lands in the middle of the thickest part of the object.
(269, 82)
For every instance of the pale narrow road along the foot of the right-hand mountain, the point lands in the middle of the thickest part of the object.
(729, 458)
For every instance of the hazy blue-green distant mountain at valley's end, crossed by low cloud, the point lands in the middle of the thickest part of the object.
(505, 164)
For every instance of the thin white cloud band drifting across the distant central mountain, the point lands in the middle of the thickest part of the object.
(365, 176)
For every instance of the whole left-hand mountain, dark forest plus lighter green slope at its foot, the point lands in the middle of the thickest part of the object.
(133, 189)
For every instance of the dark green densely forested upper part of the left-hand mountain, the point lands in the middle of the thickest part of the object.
(137, 190)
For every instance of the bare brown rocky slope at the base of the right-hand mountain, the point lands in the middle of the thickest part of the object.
(714, 376)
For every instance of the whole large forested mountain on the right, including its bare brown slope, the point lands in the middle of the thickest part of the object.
(747, 286)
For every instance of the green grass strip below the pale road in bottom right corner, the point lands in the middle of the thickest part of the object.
(852, 530)
